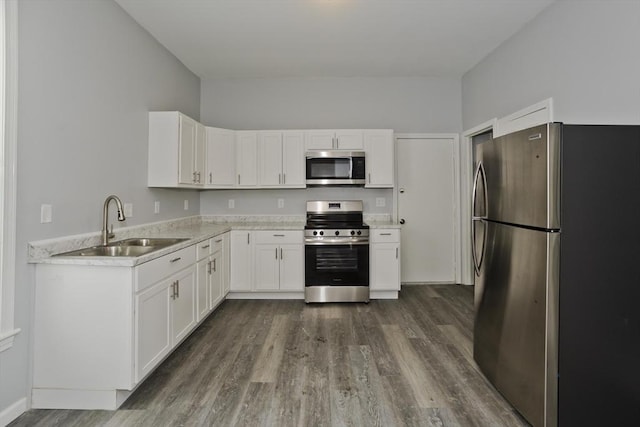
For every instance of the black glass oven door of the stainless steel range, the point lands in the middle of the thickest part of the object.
(337, 265)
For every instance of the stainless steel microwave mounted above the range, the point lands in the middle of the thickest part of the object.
(336, 168)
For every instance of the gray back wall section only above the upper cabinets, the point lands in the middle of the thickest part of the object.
(402, 104)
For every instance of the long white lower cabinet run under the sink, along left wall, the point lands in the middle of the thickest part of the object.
(100, 330)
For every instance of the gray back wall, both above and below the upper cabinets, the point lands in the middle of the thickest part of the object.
(403, 104)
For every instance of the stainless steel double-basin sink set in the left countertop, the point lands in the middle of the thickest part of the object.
(132, 247)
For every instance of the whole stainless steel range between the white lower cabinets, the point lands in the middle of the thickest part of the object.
(336, 252)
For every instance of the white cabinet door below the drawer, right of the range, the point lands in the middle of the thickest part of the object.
(385, 267)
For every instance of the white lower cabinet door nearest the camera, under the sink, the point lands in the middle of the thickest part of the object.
(152, 327)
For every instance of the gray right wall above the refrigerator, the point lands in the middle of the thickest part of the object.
(584, 54)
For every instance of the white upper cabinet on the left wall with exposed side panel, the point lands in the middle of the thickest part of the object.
(176, 150)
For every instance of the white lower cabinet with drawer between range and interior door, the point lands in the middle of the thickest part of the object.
(384, 280)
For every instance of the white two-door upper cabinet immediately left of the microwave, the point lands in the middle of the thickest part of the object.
(281, 159)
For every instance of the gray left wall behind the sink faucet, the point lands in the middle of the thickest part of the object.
(88, 75)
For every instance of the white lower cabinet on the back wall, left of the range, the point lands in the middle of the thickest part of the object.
(267, 261)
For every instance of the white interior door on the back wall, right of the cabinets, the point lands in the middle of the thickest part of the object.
(426, 207)
